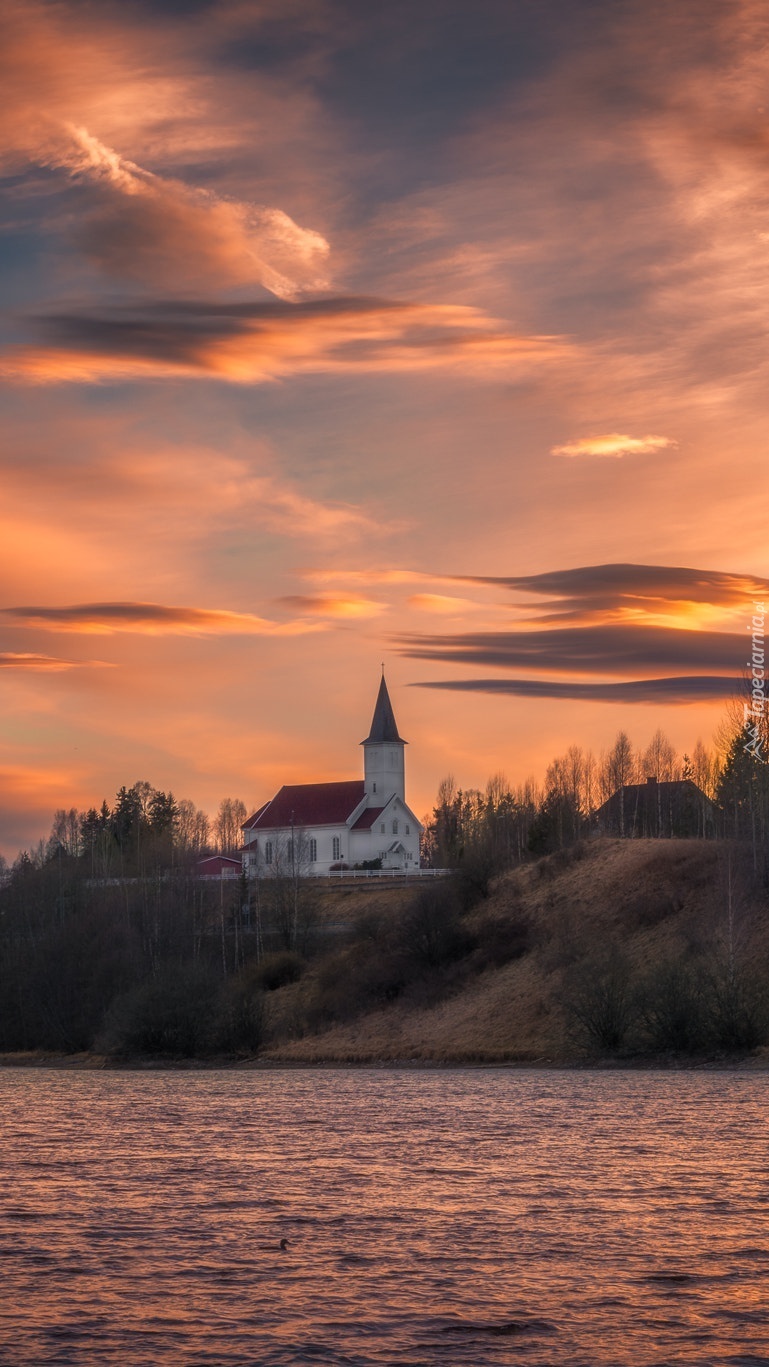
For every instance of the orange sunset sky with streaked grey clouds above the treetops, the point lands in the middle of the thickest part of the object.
(335, 336)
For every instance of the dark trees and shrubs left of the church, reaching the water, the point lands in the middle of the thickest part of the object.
(110, 940)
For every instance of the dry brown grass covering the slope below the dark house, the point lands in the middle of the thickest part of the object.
(651, 900)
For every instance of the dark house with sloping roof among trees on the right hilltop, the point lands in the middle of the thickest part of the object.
(654, 810)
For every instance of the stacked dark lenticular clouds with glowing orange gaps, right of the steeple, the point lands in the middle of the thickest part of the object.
(621, 634)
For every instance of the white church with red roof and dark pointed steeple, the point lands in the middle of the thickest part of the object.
(313, 829)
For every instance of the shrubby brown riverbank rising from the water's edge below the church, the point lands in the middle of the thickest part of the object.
(614, 953)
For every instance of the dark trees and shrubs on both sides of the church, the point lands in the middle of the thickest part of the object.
(111, 943)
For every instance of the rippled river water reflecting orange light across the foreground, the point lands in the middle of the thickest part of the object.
(432, 1217)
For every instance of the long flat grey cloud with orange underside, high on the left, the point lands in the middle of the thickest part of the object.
(255, 342)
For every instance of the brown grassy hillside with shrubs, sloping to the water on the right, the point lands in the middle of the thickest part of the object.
(663, 923)
